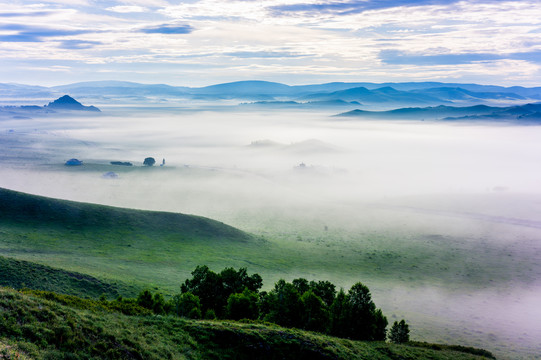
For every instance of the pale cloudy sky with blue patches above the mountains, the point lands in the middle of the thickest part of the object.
(204, 42)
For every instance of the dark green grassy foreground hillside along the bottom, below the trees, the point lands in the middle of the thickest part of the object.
(32, 327)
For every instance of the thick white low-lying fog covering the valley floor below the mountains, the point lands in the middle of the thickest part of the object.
(474, 188)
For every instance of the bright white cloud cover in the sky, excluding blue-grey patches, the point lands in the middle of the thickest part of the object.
(341, 45)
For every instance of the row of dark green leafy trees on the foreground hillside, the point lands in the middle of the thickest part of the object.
(310, 305)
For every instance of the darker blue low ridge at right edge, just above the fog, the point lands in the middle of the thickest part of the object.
(526, 113)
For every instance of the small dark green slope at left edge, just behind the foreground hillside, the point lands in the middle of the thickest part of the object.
(19, 274)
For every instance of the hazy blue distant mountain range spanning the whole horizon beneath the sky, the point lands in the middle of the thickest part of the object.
(371, 95)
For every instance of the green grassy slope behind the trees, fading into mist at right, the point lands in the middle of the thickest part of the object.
(160, 249)
